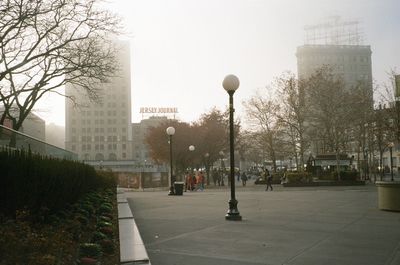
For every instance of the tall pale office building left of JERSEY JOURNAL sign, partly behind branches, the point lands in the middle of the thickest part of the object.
(102, 131)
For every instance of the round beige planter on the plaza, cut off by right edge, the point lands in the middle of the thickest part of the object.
(388, 195)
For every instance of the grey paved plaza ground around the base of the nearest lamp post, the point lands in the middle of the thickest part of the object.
(321, 225)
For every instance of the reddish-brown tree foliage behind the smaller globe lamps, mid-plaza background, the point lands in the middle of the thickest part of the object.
(208, 135)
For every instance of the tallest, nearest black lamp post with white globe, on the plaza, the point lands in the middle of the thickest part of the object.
(230, 84)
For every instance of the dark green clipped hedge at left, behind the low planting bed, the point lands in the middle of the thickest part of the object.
(34, 182)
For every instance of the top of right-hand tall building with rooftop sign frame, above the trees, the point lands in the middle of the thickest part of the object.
(337, 44)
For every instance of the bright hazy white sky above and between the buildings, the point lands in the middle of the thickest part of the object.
(181, 50)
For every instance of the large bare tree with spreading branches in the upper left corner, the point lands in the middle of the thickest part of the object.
(45, 44)
